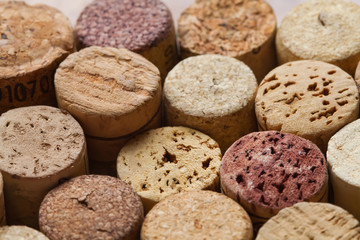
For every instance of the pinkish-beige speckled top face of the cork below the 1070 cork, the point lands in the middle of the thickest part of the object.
(39, 141)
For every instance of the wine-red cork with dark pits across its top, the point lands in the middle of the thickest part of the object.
(267, 171)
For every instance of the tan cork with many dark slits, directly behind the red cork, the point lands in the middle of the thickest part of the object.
(311, 99)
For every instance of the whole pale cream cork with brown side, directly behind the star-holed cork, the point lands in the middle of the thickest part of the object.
(214, 94)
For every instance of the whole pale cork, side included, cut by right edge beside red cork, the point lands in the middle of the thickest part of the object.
(343, 157)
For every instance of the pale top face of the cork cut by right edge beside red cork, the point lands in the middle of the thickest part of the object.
(344, 153)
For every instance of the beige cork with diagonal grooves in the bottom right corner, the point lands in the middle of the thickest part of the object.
(311, 221)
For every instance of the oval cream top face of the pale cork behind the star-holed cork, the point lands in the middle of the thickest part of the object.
(210, 85)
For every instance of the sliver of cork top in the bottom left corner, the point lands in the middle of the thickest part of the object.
(20, 233)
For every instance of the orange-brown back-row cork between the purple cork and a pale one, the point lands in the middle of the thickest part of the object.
(241, 29)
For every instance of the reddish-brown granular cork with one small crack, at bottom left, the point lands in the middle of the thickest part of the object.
(92, 207)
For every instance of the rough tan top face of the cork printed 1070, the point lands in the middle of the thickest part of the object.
(31, 37)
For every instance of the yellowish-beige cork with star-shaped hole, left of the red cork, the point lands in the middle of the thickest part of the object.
(168, 160)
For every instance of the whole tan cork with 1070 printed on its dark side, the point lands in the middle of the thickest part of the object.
(33, 41)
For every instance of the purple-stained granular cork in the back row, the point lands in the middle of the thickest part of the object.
(145, 27)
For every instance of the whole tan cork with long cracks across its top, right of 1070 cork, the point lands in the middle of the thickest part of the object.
(113, 93)
